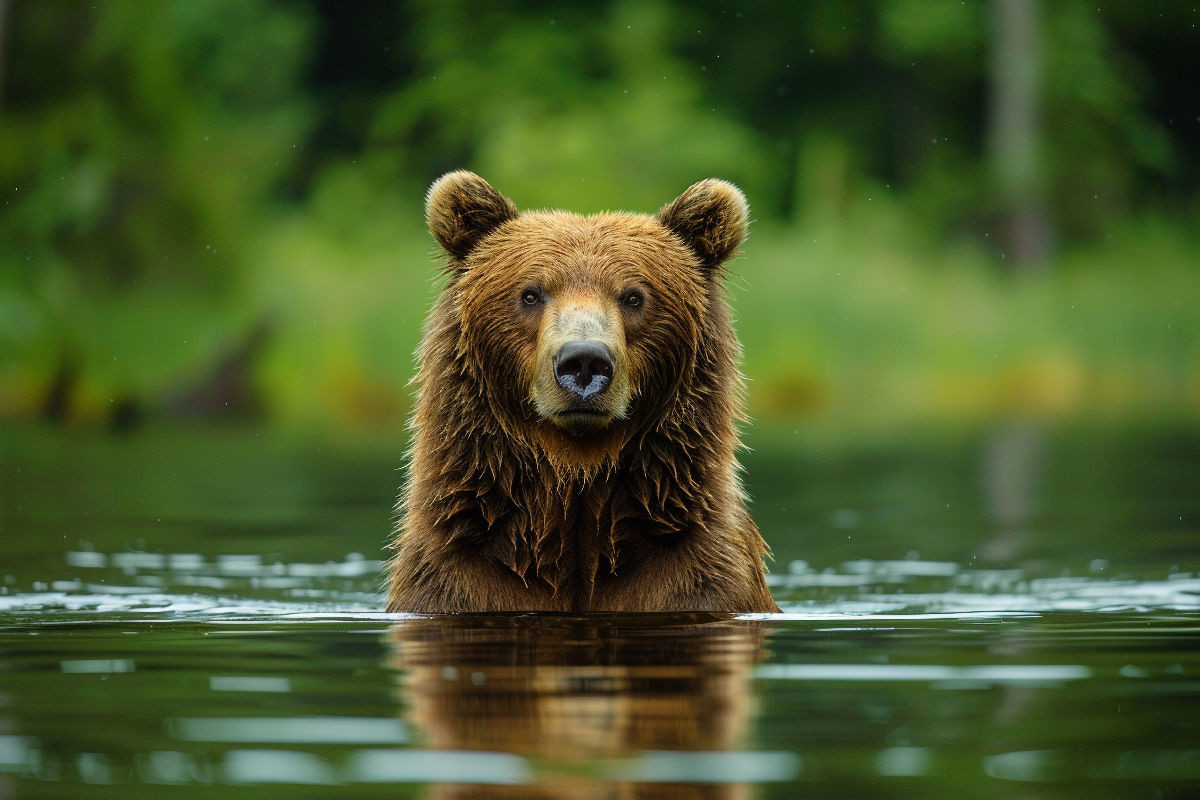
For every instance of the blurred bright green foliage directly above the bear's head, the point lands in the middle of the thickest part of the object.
(591, 110)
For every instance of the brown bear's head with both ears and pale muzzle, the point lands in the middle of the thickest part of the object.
(580, 332)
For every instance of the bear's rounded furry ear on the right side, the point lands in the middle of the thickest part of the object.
(711, 218)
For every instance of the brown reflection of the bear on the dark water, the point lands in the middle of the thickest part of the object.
(569, 693)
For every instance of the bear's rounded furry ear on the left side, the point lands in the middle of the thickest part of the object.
(463, 208)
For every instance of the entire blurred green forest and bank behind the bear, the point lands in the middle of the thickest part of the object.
(962, 210)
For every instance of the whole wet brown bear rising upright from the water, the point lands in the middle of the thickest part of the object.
(574, 435)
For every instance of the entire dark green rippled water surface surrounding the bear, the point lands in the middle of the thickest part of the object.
(1005, 615)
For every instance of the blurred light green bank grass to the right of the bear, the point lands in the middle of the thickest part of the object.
(868, 326)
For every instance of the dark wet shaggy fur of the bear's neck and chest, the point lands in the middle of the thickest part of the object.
(561, 527)
